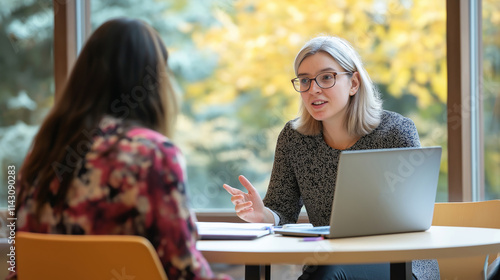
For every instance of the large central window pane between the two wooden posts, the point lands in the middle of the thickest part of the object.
(233, 61)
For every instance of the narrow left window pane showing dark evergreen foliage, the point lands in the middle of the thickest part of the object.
(27, 79)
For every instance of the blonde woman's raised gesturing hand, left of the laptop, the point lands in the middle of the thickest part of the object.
(249, 206)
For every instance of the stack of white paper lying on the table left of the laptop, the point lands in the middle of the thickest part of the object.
(232, 231)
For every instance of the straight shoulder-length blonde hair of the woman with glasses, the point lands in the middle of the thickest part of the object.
(365, 107)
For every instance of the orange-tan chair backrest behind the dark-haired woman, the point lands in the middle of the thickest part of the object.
(106, 257)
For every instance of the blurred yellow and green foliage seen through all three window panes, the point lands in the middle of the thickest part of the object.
(233, 61)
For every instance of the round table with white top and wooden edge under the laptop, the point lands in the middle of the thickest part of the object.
(398, 249)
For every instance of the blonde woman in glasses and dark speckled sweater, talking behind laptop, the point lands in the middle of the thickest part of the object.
(341, 110)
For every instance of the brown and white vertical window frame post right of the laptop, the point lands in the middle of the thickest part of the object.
(465, 146)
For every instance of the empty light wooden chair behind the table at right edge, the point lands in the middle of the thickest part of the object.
(483, 214)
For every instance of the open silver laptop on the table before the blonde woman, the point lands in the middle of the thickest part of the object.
(381, 191)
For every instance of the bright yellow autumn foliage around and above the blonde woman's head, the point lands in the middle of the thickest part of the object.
(403, 46)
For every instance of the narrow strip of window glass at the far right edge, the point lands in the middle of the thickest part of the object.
(491, 98)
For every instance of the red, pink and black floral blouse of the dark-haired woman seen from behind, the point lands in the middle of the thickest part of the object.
(137, 189)
